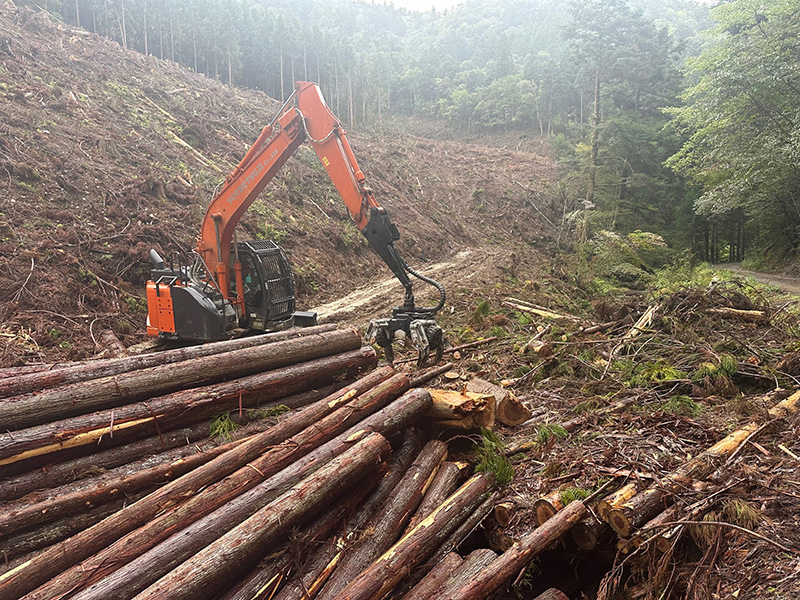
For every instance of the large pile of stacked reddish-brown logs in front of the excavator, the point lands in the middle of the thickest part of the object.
(113, 486)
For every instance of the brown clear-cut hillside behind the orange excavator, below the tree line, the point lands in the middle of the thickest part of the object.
(95, 173)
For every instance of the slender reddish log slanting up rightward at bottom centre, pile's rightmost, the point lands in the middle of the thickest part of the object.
(520, 554)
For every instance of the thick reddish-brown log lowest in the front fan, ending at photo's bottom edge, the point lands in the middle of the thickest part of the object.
(206, 572)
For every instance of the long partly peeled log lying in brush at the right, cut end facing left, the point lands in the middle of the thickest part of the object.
(649, 503)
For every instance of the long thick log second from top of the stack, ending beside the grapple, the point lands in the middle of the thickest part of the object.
(20, 412)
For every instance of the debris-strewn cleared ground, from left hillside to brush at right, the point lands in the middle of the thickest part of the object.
(94, 178)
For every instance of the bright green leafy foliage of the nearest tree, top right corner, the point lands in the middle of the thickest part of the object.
(740, 120)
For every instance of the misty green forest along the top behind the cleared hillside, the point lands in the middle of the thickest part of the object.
(596, 78)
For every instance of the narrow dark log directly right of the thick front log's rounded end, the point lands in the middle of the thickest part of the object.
(306, 585)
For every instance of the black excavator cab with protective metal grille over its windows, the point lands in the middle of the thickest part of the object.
(268, 286)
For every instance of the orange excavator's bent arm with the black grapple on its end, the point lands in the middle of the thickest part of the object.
(306, 117)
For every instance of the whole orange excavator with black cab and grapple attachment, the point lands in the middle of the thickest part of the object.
(232, 285)
